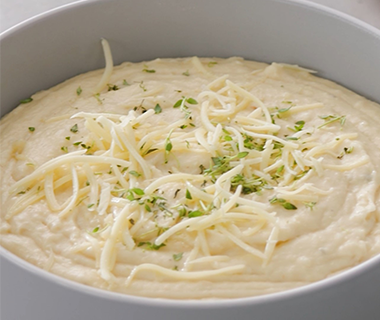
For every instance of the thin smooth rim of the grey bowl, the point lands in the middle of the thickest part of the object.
(331, 281)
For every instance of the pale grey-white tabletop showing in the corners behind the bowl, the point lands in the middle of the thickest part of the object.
(13, 12)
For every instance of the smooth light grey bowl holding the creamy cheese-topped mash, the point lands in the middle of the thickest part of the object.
(59, 44)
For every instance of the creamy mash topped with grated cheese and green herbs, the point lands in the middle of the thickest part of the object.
(192, 178)
